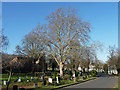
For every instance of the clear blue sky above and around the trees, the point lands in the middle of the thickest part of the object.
(18, 19)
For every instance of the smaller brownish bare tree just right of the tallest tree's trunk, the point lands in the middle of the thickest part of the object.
(73, 58)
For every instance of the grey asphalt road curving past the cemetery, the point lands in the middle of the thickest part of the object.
(104, 81)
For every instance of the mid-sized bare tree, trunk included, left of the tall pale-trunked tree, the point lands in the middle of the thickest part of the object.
(31, 47)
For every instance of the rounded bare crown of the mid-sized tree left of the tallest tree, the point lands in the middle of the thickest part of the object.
(32, 46)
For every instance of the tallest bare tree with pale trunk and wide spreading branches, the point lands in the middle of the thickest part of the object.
(64, 27)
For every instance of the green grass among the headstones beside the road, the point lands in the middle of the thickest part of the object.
(30, 84)
